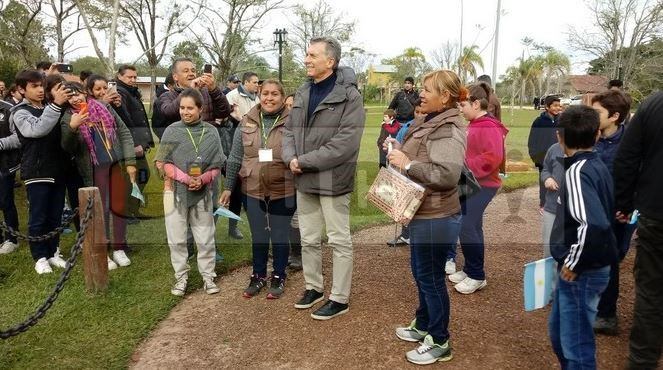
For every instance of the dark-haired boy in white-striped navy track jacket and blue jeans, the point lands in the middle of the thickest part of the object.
(582, 240)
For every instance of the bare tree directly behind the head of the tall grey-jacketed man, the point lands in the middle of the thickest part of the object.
(319, 20)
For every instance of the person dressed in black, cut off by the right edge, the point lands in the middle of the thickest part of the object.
(638, 177)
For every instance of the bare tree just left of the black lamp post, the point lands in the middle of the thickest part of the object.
(231, 30)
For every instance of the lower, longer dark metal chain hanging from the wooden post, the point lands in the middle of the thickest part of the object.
(41, 311)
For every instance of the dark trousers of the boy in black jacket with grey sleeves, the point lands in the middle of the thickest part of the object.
(44, 215)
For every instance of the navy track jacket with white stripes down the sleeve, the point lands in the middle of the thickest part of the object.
(582, 236)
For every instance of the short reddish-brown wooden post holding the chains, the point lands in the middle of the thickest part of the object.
(95, 255)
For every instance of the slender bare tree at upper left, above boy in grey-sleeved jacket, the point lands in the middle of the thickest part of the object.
(66, 23)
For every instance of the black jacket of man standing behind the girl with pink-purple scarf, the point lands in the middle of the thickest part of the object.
(136, 120)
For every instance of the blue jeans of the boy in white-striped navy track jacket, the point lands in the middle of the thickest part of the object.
(573, 313)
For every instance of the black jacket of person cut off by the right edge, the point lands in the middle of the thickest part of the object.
(638, 166)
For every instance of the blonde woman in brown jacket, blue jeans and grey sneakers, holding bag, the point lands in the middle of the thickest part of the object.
(432, 154)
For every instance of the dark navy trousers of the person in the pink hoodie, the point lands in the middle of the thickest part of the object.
(471, 233)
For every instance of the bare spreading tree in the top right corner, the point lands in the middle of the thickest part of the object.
(620, 27)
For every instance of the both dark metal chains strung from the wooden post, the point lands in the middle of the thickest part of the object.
(33, 319)
